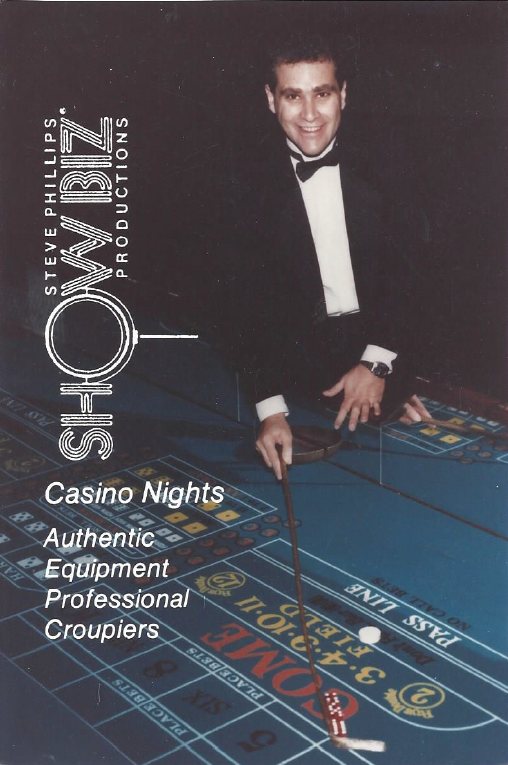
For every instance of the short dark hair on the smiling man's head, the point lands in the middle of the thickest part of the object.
(297, 46)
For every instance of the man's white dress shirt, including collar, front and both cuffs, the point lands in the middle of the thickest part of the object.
(322, 196)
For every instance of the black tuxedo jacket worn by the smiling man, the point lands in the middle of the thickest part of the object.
(275, 289)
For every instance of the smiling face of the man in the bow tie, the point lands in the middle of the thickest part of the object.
(308, 103)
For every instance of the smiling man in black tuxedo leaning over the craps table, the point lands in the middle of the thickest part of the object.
(326, 314)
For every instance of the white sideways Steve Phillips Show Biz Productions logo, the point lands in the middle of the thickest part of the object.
(82, 179)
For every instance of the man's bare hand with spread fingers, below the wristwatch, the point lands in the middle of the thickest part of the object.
(363, 391)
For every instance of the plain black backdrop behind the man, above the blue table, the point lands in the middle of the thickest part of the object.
(426, 121)
